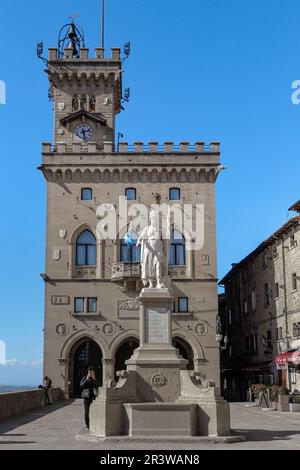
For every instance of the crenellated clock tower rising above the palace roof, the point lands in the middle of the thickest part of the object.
(87, 93)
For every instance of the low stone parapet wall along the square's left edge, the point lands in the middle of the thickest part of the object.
(14, 403)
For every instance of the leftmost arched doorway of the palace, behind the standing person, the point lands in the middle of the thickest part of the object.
(83, 354)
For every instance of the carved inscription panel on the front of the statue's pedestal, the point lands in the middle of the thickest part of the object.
(156, 325)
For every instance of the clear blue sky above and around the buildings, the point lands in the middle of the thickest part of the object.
(199, 70)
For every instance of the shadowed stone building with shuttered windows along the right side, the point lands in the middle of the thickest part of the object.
(260, 314)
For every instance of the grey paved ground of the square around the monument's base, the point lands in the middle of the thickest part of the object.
(56, 427)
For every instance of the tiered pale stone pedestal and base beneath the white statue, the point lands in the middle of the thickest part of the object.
(157, 395)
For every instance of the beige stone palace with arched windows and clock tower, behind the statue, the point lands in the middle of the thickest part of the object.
(92, 285)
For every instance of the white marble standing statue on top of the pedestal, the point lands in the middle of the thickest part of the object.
(152, 253)
